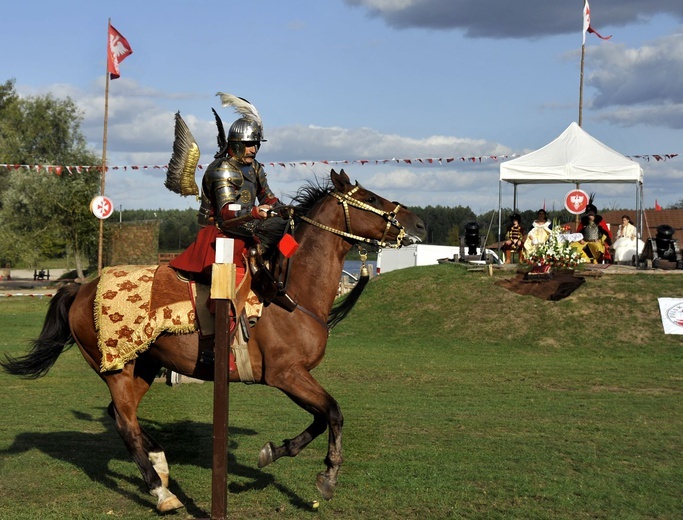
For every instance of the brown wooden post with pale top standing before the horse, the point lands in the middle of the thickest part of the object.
(222, 291)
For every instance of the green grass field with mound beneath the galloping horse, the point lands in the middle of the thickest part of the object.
(461, 400)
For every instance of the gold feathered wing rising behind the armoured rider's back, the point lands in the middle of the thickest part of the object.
(183, 164)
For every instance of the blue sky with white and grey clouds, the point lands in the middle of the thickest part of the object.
(382, 81)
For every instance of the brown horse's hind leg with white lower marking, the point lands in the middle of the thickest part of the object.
(126, 392)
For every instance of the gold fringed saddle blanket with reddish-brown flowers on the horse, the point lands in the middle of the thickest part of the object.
(135, 304)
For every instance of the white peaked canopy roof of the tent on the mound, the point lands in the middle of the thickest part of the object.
(573, 157)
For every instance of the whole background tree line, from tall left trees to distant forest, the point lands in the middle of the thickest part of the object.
(45, 215)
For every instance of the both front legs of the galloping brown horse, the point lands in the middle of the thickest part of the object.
(307, 393)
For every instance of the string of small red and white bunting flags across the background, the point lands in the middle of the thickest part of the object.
(59, 170)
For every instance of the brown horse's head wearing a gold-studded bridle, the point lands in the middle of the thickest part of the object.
(368, 216)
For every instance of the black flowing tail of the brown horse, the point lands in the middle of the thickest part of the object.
(53, 339)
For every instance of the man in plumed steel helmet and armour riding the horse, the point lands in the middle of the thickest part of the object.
(231, 187)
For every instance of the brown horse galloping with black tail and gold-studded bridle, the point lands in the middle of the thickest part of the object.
(283, 346)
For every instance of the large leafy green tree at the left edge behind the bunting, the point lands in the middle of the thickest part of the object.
(44, 215)
